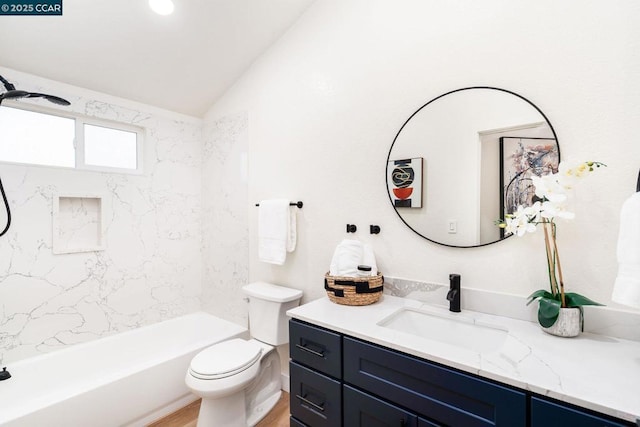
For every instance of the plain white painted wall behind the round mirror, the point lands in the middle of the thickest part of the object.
(326, 101)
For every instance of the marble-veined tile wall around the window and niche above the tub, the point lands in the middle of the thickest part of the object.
(151, 267)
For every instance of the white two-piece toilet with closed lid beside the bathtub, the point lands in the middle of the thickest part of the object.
(239, 380)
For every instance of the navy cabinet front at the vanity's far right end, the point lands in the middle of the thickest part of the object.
(545, 413)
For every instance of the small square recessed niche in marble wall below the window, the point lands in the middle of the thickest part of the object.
(77, 223)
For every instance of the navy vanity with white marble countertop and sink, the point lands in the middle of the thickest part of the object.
(382, 365)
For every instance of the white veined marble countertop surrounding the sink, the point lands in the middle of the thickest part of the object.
(592, 371)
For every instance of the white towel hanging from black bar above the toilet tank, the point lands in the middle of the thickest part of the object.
(274, 231)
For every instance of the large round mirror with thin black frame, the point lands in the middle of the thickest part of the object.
(464, 160)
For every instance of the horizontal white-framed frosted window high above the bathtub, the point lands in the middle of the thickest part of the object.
(43, 138)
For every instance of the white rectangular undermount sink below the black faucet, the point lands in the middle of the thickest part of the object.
(454, 329)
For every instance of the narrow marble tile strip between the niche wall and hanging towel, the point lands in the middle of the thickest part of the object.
(225, 205)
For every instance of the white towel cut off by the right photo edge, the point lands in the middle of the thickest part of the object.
(626, 289)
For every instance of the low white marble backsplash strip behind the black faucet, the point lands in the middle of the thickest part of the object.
(598, 320)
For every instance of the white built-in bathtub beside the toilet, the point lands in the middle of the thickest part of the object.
(127, 379)
